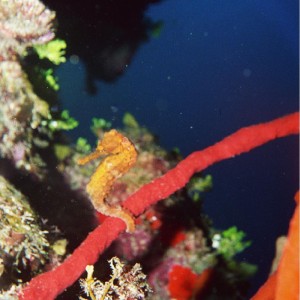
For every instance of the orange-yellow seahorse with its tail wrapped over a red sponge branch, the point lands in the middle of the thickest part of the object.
(120, 155)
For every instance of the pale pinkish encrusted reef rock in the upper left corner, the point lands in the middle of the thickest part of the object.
(23, 24)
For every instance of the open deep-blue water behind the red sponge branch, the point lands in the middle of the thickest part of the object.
(216, 66)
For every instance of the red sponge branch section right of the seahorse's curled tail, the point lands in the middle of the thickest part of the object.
(241, 141)
